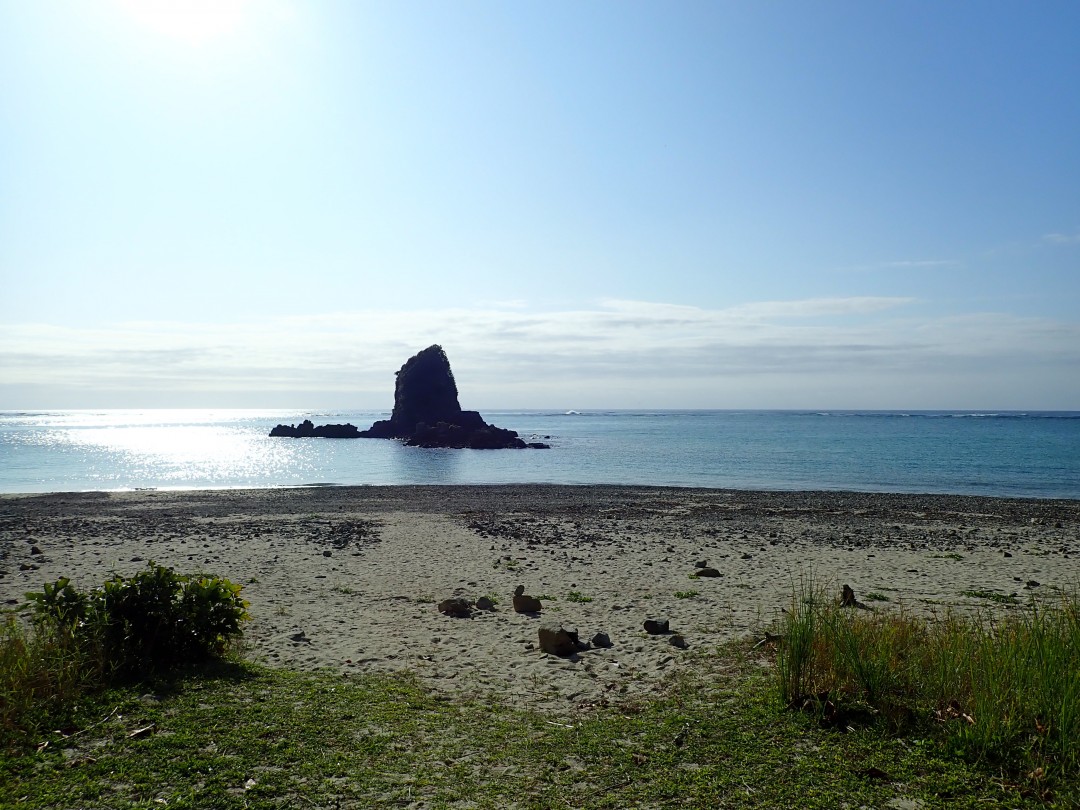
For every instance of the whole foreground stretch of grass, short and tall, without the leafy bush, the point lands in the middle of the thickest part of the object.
(958, 712)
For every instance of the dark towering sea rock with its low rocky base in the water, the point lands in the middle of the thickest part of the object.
(427, 414)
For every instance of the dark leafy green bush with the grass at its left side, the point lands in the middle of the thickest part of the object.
(75, 642)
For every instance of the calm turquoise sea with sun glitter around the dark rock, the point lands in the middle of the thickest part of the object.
(1001, 454)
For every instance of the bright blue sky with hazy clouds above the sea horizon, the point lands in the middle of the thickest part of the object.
(275, 204)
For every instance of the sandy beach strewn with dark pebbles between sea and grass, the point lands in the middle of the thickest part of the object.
(350, 578)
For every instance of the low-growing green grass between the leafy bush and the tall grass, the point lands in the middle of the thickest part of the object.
(246, 737)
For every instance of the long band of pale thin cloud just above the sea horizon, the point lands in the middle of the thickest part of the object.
(499, 356)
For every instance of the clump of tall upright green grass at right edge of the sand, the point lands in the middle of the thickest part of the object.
(1005, 690)
